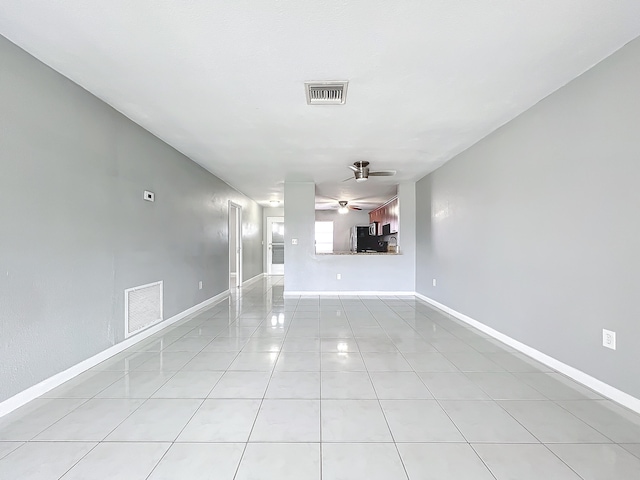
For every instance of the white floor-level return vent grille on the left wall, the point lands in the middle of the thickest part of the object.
(142, 307)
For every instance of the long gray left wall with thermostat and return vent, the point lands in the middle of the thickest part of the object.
(75, 232)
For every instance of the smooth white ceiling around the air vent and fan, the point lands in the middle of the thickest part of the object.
(223, 81)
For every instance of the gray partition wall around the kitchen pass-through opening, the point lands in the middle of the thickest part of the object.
(308, 272)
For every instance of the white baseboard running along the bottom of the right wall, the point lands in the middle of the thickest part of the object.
(587, 380)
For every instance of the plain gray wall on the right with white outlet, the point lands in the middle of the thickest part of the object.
(535, 230)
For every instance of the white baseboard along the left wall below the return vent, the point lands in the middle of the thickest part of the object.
(58, 379)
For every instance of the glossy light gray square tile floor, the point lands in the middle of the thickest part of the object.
(261, 387)
